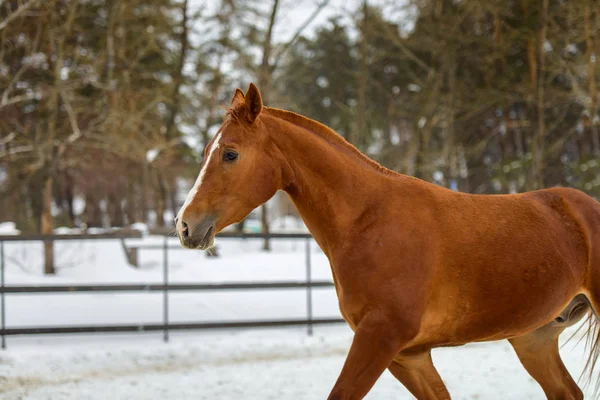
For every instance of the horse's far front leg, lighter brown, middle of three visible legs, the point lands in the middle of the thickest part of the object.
(419, 376)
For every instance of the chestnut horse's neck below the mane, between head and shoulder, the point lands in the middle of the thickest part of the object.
(330, 185)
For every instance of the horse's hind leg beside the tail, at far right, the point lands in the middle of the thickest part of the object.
(538, 352)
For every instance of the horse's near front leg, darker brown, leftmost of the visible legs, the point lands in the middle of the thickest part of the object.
(376, 342)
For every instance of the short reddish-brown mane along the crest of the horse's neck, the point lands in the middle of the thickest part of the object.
(326, 133)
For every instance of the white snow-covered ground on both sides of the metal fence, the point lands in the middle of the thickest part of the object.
(225, 364)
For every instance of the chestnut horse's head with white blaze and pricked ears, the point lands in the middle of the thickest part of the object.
(239, 173)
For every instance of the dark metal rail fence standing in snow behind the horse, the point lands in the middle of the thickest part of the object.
(165, 287)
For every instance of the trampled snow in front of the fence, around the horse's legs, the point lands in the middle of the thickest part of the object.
(266, 364)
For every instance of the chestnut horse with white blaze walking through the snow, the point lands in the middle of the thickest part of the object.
(415, 265)
